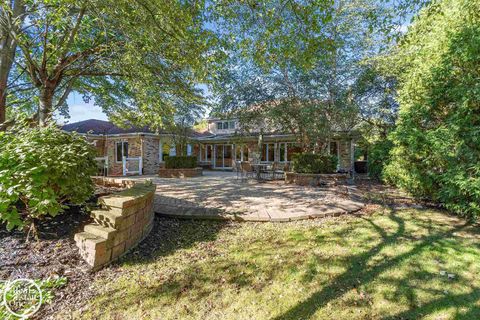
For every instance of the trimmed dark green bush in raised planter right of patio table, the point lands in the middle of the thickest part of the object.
(313, 163)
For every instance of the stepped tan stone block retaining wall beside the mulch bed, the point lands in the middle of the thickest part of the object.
(125, 219)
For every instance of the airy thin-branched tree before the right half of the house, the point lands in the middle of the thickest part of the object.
(309, 91)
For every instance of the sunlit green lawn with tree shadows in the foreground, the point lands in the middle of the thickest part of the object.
(381, 266)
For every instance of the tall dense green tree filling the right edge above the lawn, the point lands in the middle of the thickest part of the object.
(436, 152)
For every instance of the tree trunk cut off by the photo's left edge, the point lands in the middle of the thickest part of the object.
(7, 55)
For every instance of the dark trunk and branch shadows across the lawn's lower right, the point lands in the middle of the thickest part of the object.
(360, 272)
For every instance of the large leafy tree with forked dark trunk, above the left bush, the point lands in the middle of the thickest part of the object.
(135, 59)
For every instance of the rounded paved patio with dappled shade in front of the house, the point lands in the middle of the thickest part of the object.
(219, 195)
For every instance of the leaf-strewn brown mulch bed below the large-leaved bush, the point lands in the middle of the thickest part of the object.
(55, 254)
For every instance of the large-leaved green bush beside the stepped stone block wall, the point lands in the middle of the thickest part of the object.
(41, 170)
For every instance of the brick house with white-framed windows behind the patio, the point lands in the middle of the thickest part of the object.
(142, 151)
